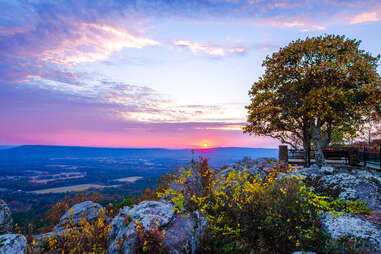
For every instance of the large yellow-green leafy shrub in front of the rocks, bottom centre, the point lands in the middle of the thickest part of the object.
(254, 214)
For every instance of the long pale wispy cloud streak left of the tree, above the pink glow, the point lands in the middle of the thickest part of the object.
(128, 102)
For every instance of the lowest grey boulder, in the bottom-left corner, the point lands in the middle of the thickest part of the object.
(12, 244)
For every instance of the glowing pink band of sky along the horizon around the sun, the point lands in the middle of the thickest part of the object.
(138, 137)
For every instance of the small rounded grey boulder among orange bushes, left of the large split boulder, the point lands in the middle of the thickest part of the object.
(88, 209)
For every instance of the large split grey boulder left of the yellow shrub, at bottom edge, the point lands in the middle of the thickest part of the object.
(183, 232)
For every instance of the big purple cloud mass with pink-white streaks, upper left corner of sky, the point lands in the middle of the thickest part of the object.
(45, 39)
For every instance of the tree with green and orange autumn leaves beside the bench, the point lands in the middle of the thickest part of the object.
(314, 87)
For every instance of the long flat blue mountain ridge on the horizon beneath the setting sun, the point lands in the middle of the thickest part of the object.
(217, 156)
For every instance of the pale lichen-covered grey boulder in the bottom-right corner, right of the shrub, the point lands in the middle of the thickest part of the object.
(349, 225)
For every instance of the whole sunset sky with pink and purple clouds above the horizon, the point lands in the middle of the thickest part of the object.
(151, 73)
